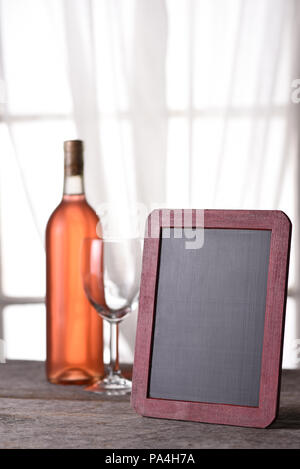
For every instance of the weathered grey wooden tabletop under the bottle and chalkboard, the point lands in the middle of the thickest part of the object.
(35, 414)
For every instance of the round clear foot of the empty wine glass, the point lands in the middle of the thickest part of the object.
(111, 385)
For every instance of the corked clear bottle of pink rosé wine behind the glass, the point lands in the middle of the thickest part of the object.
(74, 329)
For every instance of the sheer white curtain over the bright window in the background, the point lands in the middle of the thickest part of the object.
(181, 103)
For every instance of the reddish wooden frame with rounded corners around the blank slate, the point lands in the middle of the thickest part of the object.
(266, 412)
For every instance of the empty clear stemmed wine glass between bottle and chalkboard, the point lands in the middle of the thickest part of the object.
(111, 271)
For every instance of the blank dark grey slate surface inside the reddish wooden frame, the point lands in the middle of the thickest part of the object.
(209, 318)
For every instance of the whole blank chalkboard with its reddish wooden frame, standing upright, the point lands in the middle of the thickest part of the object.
(211, 320)
